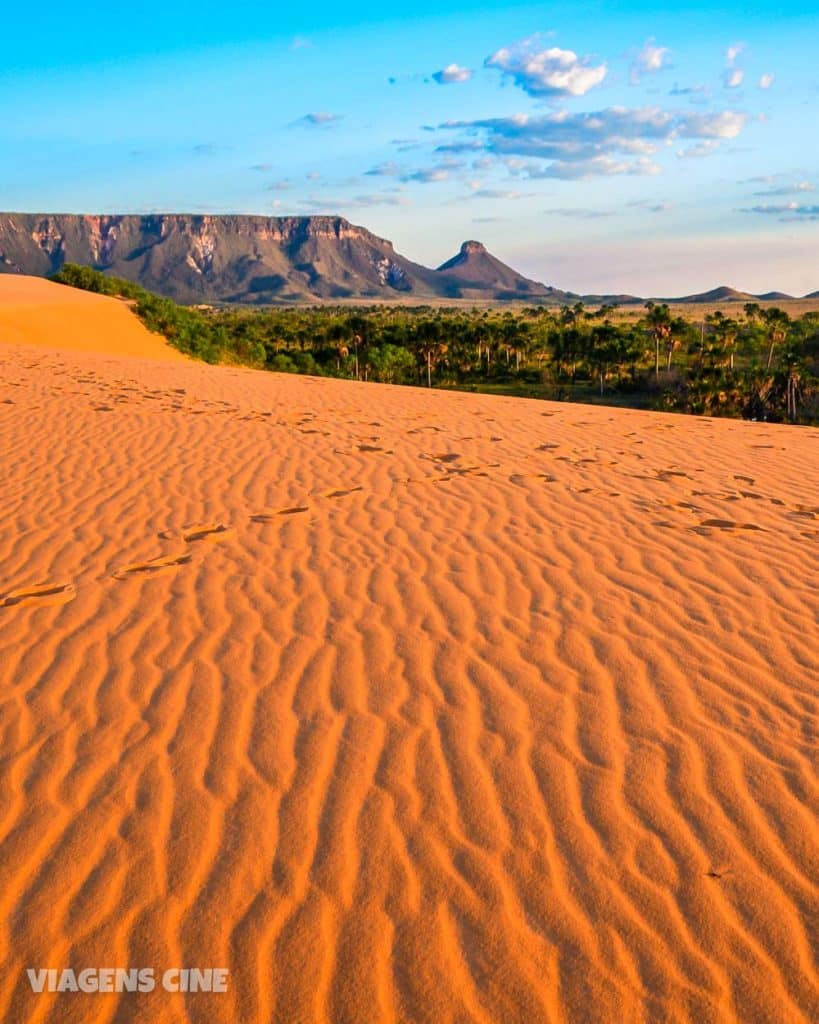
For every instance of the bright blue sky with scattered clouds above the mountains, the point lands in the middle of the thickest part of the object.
(597, 147)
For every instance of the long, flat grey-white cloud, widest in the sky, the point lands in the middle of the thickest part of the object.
(588, 145)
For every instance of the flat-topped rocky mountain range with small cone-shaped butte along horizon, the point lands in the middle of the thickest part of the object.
(272, 261)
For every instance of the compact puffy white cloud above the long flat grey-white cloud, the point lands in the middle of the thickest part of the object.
(548, 73)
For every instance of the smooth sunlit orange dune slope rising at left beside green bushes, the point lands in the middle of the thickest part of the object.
(34, 312)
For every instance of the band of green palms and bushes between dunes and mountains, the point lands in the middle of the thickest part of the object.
(762, 366)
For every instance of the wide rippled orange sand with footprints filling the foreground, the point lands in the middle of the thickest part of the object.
(405, 706)
